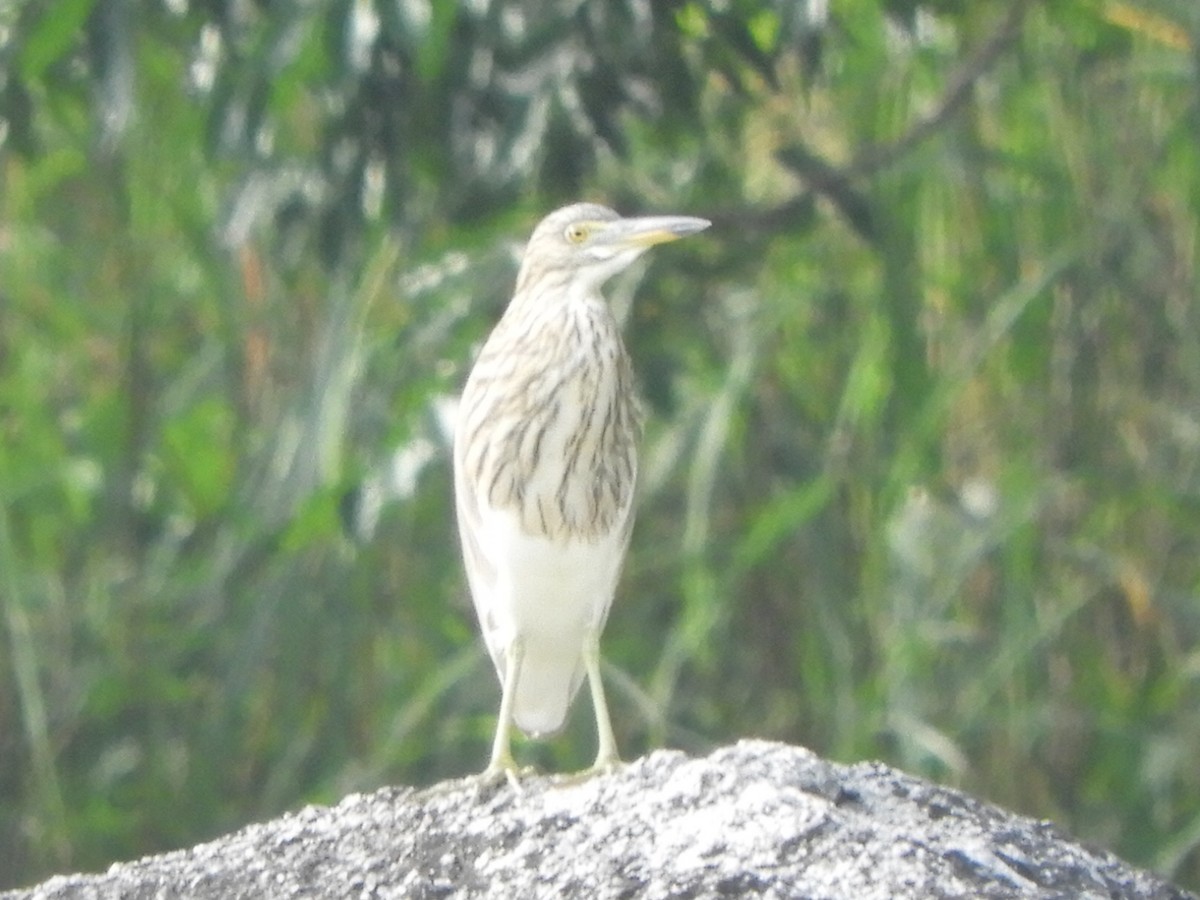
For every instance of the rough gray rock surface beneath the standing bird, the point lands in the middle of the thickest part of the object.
(753, 820)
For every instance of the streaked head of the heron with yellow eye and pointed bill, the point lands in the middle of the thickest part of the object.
(590, 244)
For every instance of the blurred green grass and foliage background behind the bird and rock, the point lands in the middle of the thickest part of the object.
(922, 469)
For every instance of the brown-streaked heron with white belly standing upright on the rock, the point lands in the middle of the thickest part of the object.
(545, 467)
